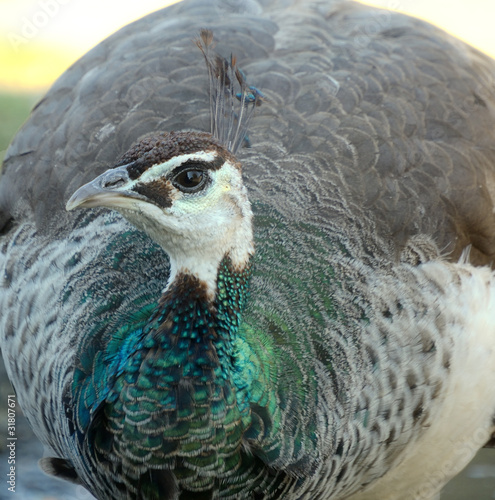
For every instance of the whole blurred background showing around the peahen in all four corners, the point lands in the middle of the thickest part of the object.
(39, 39)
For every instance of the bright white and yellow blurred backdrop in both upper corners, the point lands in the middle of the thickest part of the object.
(39, 39)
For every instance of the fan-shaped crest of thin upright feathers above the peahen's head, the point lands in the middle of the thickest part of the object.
(232, 100)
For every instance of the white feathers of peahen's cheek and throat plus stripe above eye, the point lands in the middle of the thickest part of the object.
(199, 229)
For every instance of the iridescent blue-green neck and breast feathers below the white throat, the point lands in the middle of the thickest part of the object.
(185, 374)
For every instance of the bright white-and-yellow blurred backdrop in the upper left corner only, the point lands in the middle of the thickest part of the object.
(39, 39)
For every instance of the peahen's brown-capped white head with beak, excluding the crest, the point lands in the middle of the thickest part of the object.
(185, 190)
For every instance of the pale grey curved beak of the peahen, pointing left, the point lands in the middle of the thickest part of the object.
(110, 189)
